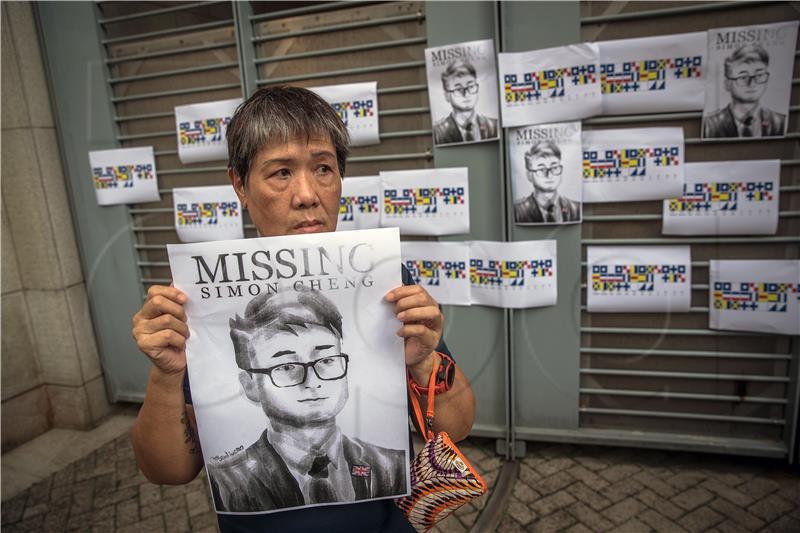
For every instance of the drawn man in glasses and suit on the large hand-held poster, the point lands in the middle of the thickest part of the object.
(289, 349)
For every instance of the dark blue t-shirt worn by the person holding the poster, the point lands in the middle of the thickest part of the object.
(377, 516)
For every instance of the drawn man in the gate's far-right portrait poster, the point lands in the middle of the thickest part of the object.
(746, 78)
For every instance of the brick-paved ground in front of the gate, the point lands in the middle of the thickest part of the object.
(560, 487)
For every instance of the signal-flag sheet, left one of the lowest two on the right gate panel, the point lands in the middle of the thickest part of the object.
(623, 279)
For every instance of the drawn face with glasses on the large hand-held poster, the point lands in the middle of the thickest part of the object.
(312, 401)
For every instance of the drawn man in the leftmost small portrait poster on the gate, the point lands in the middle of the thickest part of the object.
(463, 124)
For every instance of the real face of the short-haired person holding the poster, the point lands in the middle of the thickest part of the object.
(292, 188)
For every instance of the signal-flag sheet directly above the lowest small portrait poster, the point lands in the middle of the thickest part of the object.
(552, 85)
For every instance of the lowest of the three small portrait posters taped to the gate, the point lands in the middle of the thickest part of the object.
(546, 166)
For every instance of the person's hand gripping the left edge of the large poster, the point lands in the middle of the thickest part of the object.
(160, 328)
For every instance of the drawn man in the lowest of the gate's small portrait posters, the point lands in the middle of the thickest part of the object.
(545, 205)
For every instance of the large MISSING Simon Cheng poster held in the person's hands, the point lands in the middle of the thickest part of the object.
(298, 379)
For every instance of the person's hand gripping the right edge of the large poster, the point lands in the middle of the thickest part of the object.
(422, 323)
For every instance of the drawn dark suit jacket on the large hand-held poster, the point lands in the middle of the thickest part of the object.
(259, 480)
